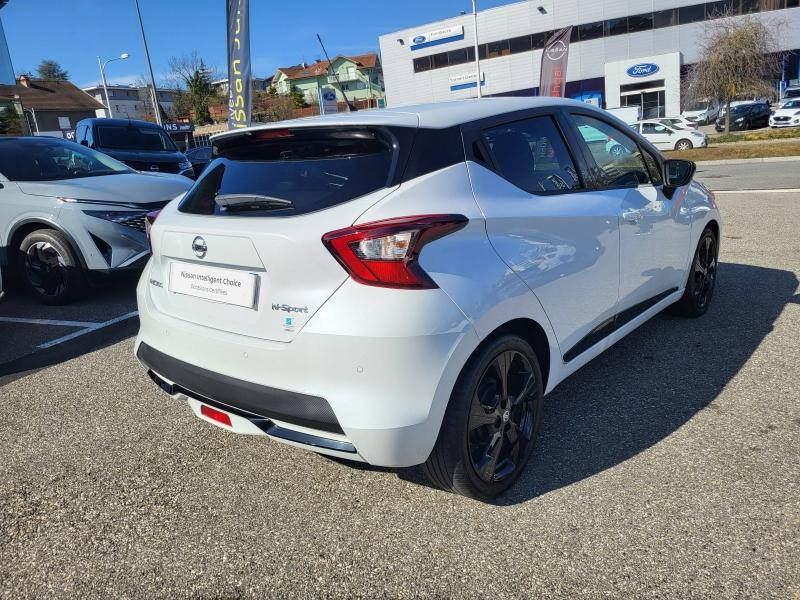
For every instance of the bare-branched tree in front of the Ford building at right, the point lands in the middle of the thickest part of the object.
(738, 59)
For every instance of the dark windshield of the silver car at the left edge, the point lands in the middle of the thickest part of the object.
(48, 159)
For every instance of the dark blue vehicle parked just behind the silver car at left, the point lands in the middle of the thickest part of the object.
(141, 145)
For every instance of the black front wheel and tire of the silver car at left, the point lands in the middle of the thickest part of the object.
(50, 267)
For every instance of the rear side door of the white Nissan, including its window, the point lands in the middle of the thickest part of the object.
(561, 238)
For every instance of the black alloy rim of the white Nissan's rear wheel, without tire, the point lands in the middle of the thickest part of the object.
(502, 417)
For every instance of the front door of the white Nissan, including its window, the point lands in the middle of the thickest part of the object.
(654, 231)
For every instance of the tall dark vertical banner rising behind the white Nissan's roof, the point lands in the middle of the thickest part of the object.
(240, 84)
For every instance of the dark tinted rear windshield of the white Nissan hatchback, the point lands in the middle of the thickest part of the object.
(283, 172)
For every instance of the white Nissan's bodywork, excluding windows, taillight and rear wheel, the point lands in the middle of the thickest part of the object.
(365, 373)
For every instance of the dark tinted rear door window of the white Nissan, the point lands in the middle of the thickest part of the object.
(532, 155)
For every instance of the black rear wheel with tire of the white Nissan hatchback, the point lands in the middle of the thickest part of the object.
(491, 422)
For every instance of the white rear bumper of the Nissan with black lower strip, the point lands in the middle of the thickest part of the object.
(378, 394)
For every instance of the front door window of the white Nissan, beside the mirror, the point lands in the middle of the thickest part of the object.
(619, 161)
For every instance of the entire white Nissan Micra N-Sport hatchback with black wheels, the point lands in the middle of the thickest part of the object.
(403, 286)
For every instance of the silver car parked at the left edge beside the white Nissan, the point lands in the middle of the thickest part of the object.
(67, 211)
